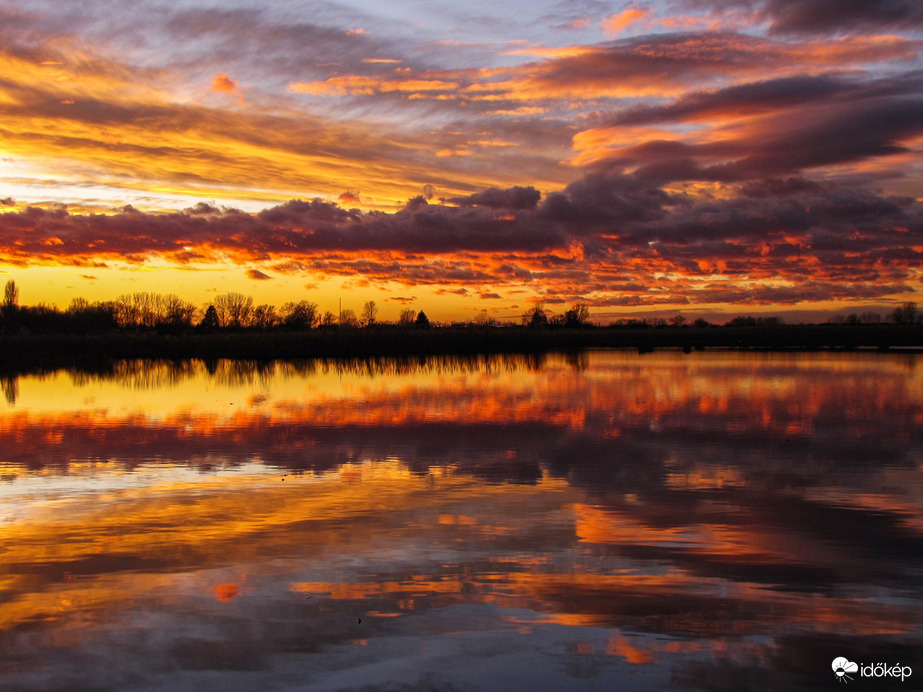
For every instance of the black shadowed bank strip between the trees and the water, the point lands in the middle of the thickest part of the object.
(42, 351)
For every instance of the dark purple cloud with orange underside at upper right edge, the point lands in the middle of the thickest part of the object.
(792, 125)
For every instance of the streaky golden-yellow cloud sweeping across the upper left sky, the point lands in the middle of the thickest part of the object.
(127, 127)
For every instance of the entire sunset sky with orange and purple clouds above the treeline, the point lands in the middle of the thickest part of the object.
(695, 157)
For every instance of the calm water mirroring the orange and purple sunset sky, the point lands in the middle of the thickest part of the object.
(595, 522)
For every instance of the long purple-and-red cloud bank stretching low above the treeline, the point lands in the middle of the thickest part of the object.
(606, 236)
